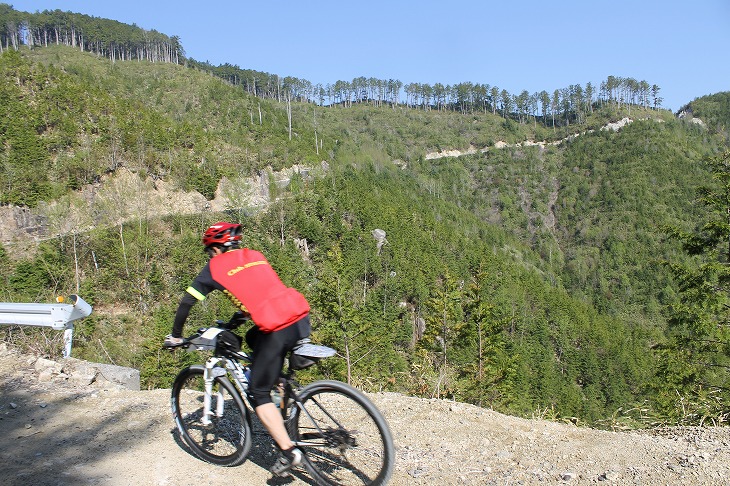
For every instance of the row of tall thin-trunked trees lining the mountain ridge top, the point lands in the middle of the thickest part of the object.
(118, 41)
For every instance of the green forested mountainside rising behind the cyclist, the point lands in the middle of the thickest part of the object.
(578, 278)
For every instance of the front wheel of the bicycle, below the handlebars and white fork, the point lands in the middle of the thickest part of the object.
(226, 441)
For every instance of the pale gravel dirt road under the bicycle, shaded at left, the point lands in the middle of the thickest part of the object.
(56, 431)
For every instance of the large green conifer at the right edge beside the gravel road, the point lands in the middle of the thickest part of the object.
(694, 384)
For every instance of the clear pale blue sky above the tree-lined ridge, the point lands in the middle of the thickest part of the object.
(680, 45)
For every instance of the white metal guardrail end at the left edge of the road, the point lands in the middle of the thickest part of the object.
(57, 316)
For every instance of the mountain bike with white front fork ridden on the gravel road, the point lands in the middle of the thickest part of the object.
(343, 436)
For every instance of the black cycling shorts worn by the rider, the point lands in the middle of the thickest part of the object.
(269, 350)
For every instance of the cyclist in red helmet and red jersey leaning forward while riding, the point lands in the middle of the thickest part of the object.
(280, 315)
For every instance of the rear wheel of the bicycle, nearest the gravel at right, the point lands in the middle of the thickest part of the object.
(351, 442)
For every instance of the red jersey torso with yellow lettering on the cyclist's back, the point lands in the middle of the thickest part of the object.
(253, 285)
